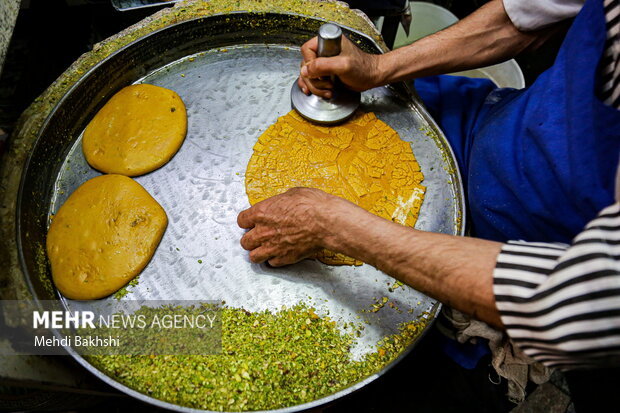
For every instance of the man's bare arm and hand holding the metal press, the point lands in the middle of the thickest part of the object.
(486, 37)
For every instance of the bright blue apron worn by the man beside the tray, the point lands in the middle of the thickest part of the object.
(537, 163)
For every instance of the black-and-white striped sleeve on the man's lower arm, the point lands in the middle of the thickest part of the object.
(560, 304)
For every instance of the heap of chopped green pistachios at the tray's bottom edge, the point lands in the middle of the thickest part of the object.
(269, 360)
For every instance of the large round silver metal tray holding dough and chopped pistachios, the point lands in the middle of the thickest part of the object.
(234, 76)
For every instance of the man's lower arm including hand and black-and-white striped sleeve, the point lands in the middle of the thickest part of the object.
(560, 304)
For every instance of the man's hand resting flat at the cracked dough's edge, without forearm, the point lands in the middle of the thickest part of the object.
(285, 228)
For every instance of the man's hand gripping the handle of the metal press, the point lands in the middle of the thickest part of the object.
(356, 69)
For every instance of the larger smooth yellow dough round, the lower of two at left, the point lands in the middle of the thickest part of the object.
(103, 236)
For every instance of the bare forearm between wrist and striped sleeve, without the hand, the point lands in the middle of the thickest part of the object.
(457, 271)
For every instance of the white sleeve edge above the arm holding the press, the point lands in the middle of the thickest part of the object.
(536, 14)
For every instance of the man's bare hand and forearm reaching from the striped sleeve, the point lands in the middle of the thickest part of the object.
(458, 271)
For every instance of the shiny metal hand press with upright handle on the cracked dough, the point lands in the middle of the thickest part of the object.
(343, 102)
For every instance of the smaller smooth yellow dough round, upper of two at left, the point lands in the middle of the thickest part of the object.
(137, 131)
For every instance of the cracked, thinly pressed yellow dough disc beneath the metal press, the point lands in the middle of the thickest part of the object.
(363, 160)
